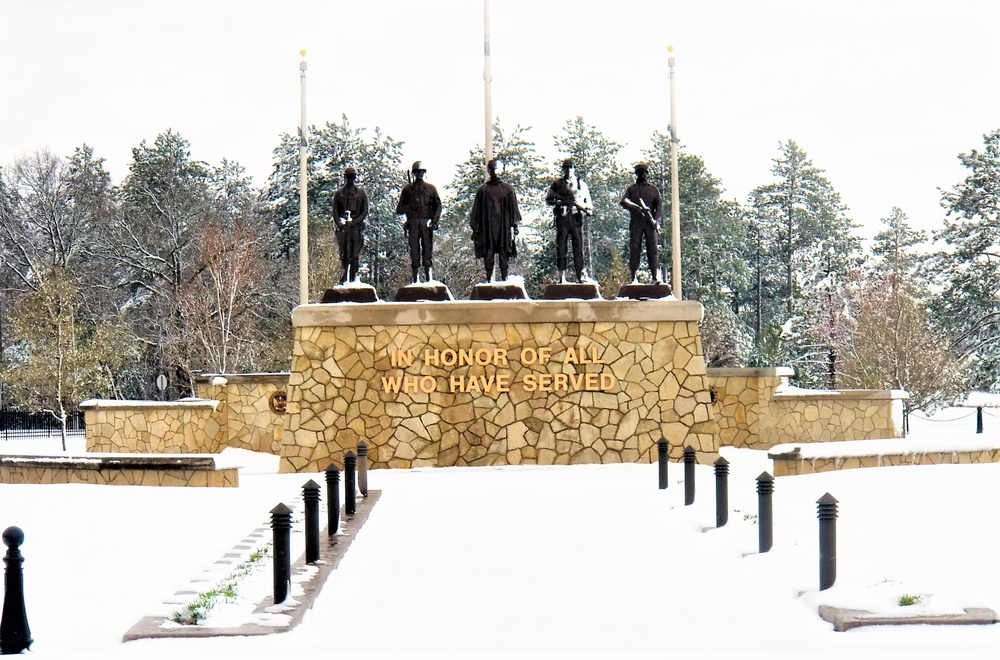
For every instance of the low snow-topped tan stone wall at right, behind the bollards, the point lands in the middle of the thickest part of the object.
(809, 458)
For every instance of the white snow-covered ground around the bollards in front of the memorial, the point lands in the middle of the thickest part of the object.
(581, 561)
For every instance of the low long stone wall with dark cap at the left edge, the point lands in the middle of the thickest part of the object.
(123, 469)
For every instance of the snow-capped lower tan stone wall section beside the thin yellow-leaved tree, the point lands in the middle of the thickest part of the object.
(162, 427)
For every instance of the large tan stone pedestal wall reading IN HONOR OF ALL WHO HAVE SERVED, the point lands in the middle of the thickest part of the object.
(618, 375)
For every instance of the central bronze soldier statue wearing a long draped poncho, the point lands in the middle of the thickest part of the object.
(494, 221)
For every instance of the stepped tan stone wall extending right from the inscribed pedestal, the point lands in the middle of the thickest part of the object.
(757, 410)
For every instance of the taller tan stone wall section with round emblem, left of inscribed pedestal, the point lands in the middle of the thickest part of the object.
(251, 407)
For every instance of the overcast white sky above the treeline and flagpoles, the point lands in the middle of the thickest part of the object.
(881, 94)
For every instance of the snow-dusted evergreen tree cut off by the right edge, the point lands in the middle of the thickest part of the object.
(969, 268)
